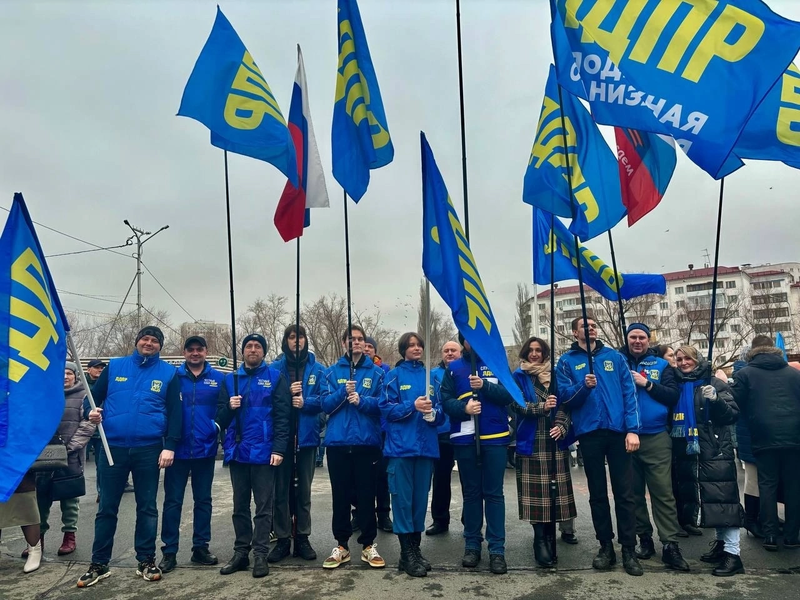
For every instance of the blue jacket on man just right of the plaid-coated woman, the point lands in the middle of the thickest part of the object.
(611, 405)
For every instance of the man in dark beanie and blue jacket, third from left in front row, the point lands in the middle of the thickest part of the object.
(256, 421)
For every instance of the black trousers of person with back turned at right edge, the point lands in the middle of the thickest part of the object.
(779, 467)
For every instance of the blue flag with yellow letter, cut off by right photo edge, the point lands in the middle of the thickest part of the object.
(773, 132)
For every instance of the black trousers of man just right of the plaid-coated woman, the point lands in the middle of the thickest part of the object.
(598, 447)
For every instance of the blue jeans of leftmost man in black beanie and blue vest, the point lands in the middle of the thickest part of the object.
(142, 463)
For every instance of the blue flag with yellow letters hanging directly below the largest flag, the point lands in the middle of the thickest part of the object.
(597, 204)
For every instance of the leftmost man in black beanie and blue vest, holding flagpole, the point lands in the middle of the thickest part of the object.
(139, 403)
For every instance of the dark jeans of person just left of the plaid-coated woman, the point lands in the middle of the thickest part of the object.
(482, 489)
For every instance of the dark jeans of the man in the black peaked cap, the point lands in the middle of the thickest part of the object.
(175, 479)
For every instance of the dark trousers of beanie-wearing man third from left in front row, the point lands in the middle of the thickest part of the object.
(257, 481)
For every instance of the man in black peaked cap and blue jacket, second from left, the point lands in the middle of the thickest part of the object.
(195, 455)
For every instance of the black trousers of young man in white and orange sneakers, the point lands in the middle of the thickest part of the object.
(352, 470)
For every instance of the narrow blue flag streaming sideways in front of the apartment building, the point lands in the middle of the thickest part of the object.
(596, 274)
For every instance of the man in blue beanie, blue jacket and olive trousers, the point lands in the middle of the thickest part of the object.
(657, 392)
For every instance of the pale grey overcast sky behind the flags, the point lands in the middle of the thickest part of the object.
(88, 126)
